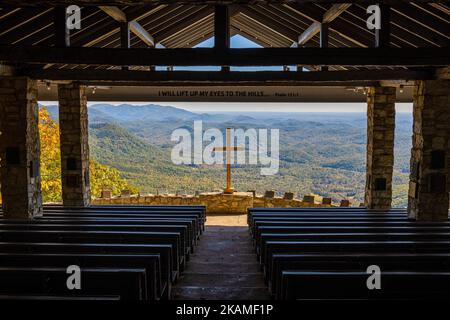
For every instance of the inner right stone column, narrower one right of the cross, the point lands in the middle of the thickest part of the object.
(380, 147)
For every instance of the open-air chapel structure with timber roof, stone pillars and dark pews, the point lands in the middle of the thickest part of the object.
(123, 50)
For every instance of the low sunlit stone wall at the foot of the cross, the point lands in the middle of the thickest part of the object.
(215, 202)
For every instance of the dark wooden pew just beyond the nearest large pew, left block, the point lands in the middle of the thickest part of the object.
(150, 263)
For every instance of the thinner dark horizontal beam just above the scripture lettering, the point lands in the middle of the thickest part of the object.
(211, 78)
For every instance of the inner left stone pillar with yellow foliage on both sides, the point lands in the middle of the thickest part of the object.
(73, 121)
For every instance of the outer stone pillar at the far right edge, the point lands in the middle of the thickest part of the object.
(429, 186)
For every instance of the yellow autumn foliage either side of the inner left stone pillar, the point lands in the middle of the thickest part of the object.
(101, 176)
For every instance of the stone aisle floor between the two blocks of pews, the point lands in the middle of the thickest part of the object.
(224, 264)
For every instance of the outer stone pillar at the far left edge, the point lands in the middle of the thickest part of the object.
(20, 148)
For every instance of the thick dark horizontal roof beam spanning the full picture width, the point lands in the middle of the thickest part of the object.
(237, 57)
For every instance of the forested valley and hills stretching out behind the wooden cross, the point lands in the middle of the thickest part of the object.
(319, 153)
